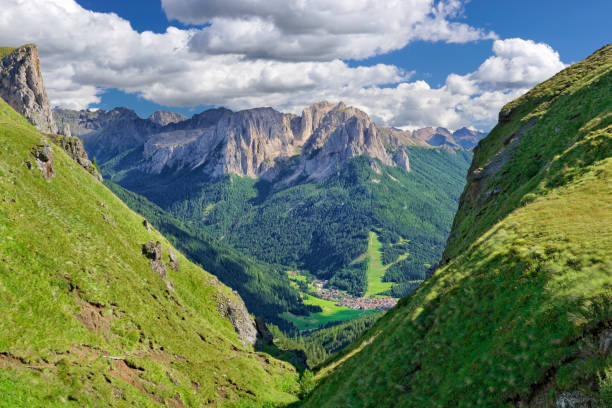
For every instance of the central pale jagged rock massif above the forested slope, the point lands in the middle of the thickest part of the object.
(259, 142)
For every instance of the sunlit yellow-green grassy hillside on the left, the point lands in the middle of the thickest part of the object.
(61, 262)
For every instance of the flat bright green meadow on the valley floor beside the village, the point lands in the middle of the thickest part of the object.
(330, 313)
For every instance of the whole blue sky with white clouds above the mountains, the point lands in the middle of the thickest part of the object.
(407, 63)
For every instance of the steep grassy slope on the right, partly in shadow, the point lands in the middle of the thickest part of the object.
(517, 313)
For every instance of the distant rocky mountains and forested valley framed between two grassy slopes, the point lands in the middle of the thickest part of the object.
(316, 187)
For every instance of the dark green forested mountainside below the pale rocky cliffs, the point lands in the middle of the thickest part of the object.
(323, 226)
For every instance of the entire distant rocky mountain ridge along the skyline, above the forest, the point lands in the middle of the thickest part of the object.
(259, 142)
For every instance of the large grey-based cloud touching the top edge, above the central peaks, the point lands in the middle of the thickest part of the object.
(318, 30)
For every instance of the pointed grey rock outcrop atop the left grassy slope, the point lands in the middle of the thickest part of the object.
(21, 86)
